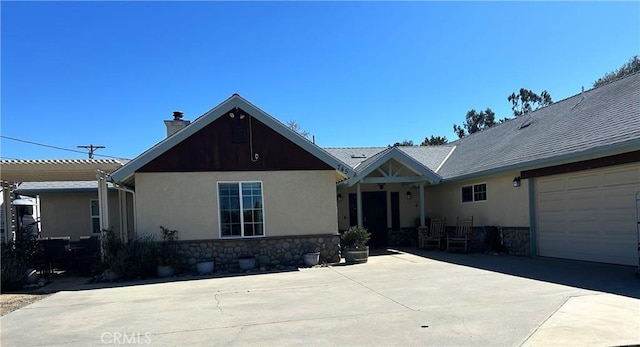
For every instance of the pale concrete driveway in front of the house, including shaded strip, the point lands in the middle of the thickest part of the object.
(398, 298)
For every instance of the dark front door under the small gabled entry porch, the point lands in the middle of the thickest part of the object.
(374, 216)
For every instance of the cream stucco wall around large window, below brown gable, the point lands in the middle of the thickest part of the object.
(295, 202)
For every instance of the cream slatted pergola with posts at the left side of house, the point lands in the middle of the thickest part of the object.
(13, 172)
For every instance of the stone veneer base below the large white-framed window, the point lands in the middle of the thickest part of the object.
(270, 252)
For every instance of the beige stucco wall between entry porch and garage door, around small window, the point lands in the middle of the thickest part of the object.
(505, 204)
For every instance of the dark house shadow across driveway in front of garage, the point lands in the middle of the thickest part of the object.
(609, 278)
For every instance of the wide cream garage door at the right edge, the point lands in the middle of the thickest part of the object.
(589, 215)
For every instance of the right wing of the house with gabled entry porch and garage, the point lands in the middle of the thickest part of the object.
(562, 181)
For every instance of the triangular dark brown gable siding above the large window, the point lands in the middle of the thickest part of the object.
(225, 145)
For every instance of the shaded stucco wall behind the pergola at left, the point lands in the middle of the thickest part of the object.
(69, 214)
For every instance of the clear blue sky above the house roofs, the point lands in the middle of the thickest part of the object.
(350, 73)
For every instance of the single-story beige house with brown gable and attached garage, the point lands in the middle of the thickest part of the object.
(561, 181)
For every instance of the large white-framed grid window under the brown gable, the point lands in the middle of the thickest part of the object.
(241, 210)
